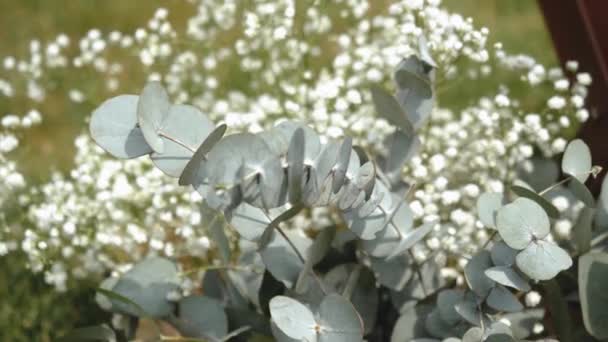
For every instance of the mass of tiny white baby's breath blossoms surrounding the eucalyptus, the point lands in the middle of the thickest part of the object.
(250, 64)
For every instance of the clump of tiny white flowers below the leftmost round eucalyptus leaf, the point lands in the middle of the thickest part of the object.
(106, 214)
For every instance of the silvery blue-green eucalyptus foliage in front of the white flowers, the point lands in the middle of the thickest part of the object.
(330, 285)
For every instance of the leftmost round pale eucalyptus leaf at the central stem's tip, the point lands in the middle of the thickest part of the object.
(114, 127)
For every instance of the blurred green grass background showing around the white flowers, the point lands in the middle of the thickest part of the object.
(32, 311)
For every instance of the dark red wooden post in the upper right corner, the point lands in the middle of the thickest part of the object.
(579, 30)
